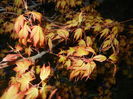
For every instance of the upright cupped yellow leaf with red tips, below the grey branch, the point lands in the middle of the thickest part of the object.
(45, 72)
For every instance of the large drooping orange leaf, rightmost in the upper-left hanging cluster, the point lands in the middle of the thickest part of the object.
(38, 36)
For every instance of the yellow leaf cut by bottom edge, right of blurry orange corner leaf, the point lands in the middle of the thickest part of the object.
(32, 93)
